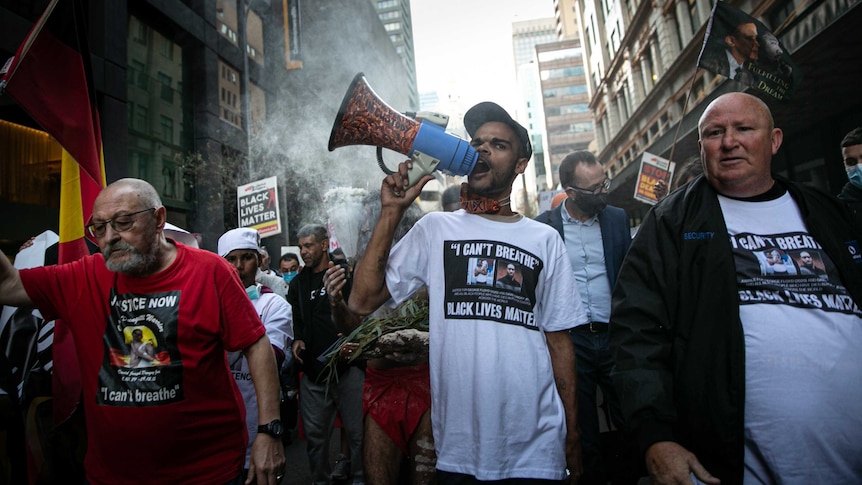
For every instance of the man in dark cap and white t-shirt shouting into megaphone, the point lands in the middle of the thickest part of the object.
(501, 361)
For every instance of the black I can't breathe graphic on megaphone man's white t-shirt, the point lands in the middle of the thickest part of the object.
(490, 280)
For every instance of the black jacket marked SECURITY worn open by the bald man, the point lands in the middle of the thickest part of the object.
(675, 327)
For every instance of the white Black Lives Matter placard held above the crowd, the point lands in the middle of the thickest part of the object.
(257, 205)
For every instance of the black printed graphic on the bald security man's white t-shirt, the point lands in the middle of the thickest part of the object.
(790, 269)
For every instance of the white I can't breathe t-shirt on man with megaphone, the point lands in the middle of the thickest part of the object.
(495, 409)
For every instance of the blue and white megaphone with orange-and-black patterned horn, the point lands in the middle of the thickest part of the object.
(365, 119)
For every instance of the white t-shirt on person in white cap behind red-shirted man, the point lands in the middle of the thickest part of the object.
(277, 317)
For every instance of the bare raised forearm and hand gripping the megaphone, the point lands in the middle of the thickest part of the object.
(369, 278)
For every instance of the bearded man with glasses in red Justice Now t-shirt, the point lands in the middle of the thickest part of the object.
(192, 307)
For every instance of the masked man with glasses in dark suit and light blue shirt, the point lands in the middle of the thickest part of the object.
(597, 238)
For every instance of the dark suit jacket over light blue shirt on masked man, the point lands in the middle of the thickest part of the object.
(616, 236)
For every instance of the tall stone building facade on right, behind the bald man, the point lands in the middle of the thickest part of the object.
(646, 93)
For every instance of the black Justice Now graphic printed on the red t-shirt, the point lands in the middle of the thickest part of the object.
(141, 364)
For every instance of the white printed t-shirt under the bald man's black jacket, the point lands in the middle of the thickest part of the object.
(803, 351)
